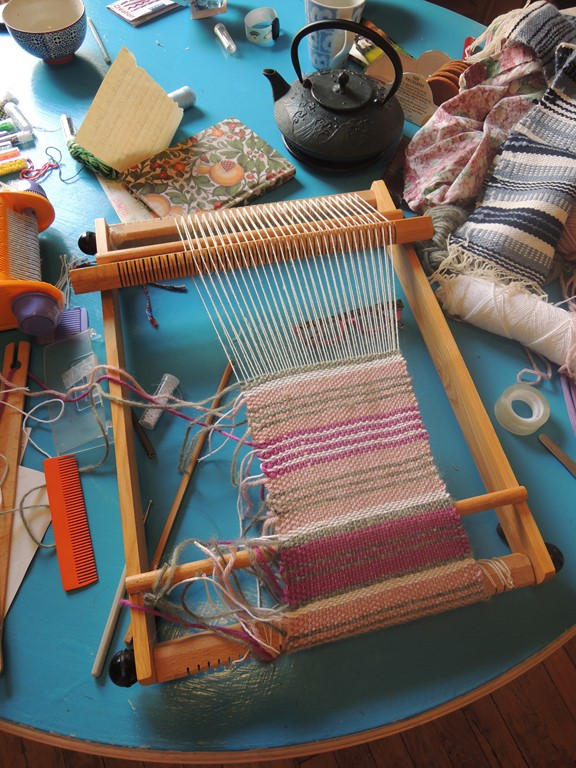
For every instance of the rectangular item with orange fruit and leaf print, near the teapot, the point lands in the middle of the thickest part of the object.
(220, 167)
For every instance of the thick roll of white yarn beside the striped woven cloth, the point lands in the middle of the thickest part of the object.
(513, 313)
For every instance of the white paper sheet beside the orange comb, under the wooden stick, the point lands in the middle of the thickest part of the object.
(23, 548)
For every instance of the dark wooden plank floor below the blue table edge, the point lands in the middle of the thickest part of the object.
(530, 723)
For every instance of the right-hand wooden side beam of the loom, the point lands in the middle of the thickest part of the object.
(519, 526)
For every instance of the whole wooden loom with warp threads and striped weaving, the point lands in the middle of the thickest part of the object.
(358, 530)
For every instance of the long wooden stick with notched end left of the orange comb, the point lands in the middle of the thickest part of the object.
(15, 369)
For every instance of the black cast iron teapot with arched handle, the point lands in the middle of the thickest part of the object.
(338, 118)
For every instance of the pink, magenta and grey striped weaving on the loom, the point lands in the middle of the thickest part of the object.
(367, 534)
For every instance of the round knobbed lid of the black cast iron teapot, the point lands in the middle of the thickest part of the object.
(340, 89)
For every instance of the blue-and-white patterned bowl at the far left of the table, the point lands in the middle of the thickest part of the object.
(53, 30)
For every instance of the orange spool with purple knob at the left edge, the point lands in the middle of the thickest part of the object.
(26, 301)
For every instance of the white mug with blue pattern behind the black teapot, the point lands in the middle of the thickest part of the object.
(329, 47)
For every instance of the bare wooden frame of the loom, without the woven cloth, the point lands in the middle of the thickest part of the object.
(133, 254)
